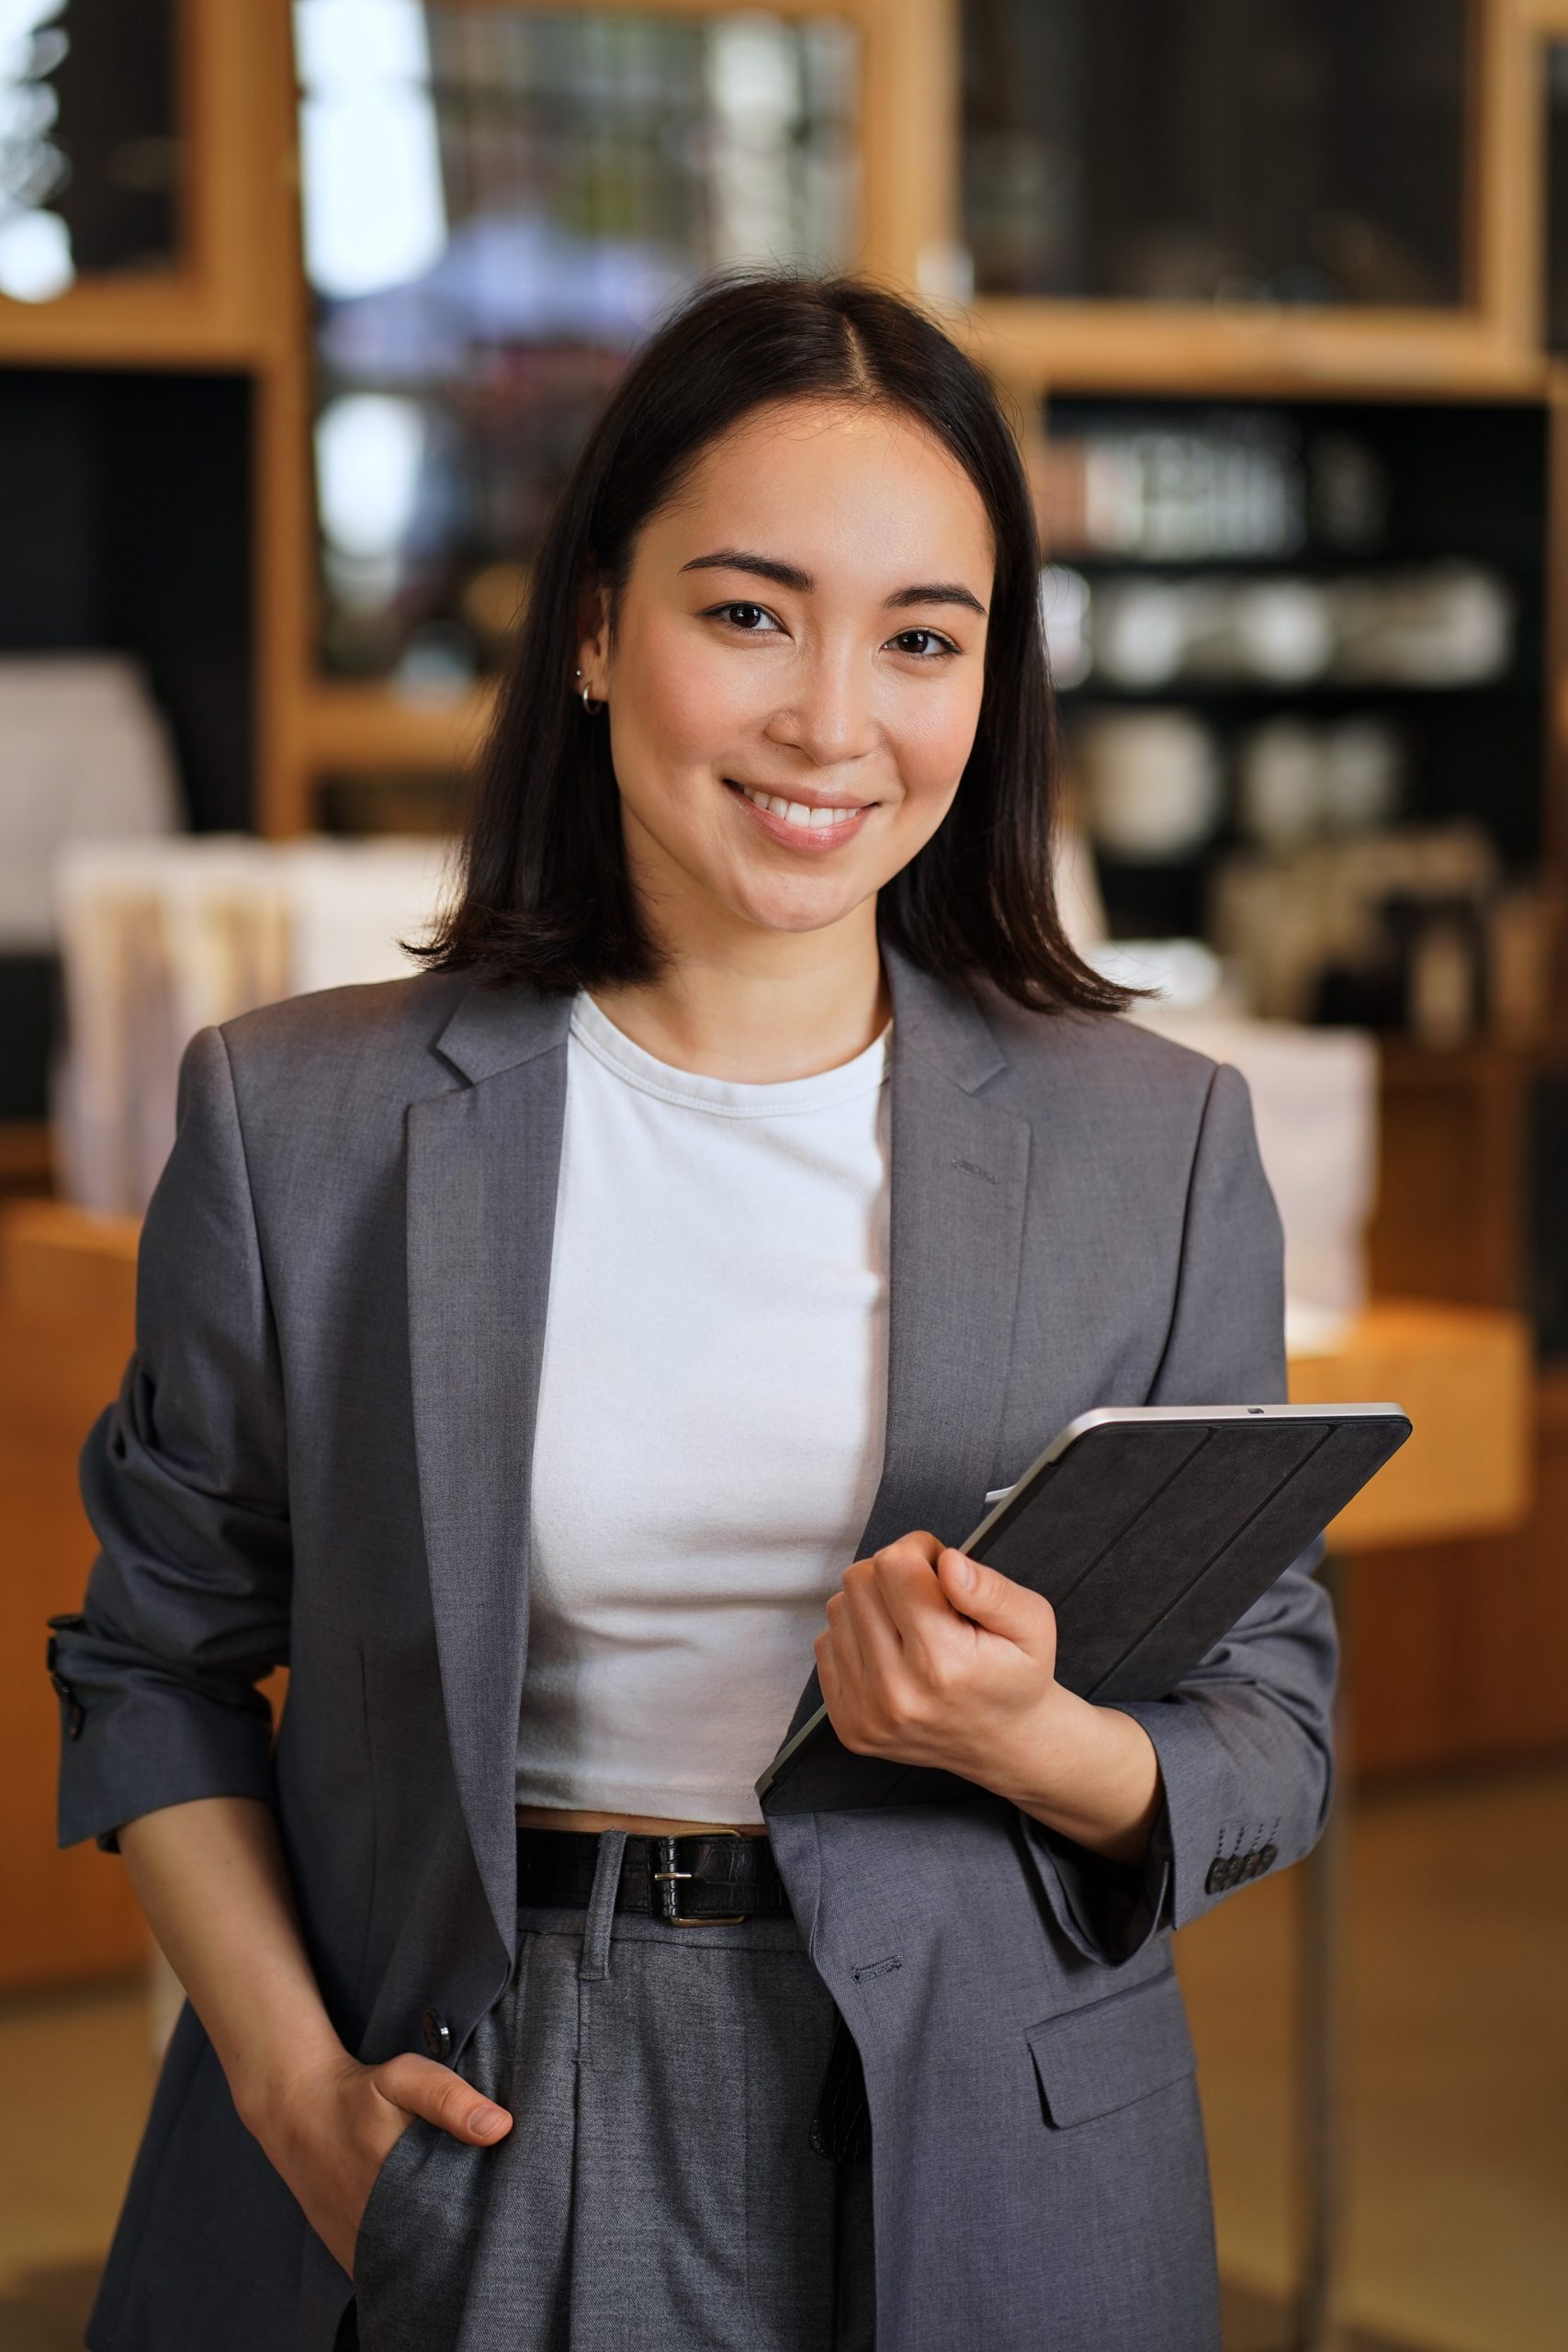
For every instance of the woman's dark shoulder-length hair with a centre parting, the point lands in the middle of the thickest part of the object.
(547, 895)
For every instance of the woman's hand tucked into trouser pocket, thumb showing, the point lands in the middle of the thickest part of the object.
(335, 2127)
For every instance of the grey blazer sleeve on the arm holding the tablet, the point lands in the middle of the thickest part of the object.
(1247, 1742)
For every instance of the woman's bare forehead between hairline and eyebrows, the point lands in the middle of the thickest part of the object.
(852, 488)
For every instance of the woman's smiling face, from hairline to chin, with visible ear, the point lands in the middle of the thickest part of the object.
(796, 669)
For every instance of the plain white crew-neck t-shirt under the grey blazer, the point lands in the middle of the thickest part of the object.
(711, 1419)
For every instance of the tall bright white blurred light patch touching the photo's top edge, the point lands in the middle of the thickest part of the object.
(373, 171)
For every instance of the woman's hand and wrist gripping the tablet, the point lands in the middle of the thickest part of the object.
(934, 1659)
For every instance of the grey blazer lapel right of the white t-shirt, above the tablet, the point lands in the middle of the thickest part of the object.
(958, 1215)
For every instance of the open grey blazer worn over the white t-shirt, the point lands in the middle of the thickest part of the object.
(321, 1455)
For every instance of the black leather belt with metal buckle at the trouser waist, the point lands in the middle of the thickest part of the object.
(702, 1880)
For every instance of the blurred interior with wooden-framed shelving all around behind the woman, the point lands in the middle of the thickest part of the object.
(302, 319)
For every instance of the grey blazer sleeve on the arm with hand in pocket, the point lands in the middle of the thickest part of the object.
(185, 1481)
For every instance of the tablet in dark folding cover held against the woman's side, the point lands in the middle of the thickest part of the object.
(1151, 1530)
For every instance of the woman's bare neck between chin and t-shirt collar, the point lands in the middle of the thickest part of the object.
(763, 1010)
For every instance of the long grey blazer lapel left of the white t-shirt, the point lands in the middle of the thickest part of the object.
(483, 1177)
